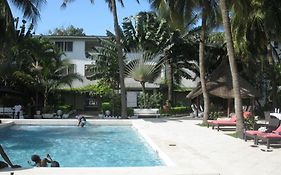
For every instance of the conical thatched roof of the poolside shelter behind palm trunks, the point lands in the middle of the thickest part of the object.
(220, 84)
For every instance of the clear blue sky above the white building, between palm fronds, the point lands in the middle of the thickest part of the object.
(95, 18)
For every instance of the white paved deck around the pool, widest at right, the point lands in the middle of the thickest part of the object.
(194, 150)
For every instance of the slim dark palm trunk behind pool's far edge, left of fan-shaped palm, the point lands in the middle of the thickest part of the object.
(120, 61)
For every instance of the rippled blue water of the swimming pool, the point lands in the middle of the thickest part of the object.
(91, 146)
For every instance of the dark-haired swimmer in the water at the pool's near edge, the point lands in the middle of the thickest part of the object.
(43, 162)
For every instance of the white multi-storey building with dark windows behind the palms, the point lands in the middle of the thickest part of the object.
(77, 49)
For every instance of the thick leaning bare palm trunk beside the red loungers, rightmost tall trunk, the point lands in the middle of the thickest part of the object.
(233, 68)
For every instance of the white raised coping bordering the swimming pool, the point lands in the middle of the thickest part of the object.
(73, 122)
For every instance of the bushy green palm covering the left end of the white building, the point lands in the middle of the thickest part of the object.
(43, 68)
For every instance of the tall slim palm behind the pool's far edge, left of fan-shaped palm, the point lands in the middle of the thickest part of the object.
(113, 9)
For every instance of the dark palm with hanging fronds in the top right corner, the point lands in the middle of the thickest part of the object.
(256, 24)
